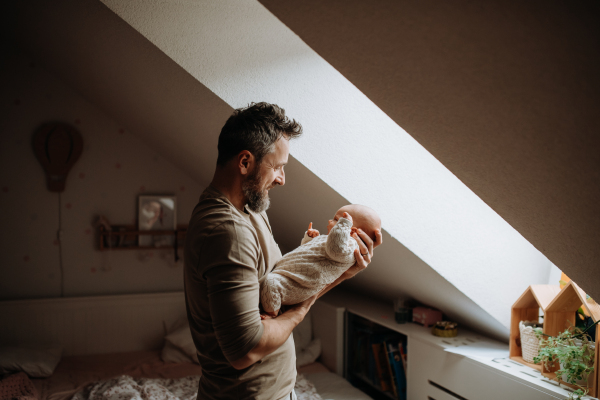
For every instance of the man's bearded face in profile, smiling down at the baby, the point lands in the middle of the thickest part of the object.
(268, 174)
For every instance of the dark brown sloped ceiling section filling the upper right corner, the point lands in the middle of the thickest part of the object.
(504, 93)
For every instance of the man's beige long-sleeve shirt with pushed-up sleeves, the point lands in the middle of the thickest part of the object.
(227, 254)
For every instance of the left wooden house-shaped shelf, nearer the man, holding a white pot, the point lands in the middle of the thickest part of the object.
(527, 308)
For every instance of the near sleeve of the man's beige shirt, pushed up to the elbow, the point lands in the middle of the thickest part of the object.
(231, 256)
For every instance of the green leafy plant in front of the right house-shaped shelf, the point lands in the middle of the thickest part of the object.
(573, 352)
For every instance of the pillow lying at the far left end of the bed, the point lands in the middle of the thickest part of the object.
(34, 362)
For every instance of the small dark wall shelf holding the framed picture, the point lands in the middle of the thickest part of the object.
(125, 237)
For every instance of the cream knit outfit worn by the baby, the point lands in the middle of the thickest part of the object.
(306, 270)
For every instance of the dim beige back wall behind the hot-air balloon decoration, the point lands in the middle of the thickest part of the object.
(114, 168)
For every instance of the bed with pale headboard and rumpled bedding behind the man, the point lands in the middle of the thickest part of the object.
(114, 347)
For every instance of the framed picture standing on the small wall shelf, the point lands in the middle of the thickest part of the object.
(157, 213)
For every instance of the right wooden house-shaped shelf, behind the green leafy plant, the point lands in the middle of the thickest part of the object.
(560, 314)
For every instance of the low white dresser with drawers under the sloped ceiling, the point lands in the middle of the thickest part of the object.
(470, 366)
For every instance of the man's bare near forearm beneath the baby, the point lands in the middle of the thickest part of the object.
(276, 332)
